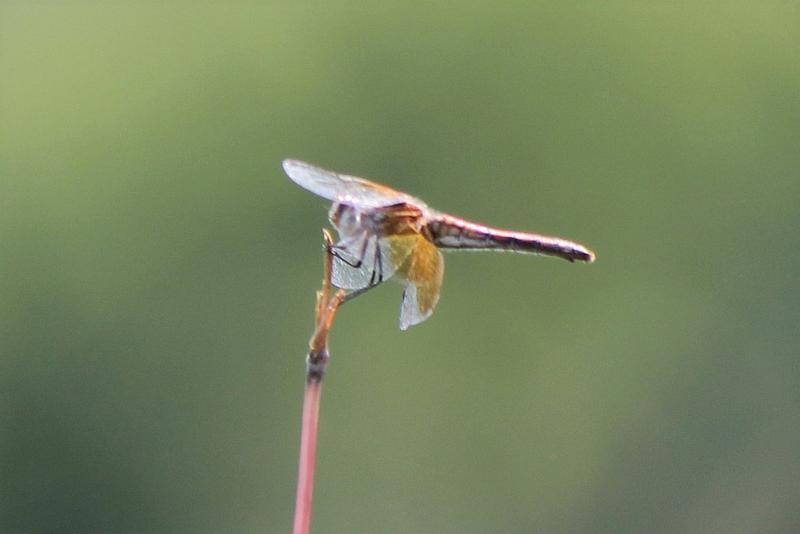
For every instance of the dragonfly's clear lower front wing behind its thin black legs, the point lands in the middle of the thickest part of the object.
(363, 261)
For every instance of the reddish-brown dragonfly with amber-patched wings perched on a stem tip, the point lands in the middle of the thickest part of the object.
(387, 234)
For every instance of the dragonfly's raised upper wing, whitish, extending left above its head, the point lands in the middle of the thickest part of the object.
(342, 188)
